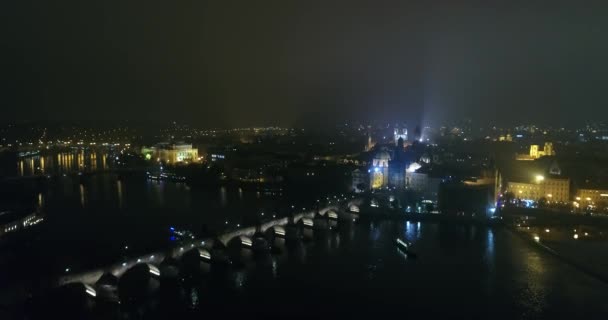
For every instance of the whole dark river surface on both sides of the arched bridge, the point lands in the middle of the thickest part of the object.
(460, 272)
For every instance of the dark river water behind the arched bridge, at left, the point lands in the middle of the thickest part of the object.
(90, 222)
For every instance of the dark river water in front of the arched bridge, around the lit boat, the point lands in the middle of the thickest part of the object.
(463, 272)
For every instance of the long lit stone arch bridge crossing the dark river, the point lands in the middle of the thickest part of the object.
(344, 208)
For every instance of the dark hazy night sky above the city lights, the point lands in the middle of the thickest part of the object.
(232, 63)
